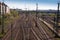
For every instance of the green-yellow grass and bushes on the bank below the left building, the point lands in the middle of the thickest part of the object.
(8, 18)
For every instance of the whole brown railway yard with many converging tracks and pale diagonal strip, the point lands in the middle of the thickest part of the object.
(30, 27)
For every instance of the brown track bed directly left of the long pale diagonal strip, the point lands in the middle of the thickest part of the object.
(47, 31)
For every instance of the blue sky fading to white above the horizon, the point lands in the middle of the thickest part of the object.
(31, 4)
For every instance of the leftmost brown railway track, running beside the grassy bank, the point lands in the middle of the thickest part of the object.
(15, 29)
